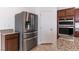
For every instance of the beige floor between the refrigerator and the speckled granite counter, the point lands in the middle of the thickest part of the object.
(45, 47)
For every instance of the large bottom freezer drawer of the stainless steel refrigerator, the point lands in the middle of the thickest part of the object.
(29, 44)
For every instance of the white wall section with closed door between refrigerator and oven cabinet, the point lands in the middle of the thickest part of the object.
(47, 26)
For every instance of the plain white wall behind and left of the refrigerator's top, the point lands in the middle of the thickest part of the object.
(7, 16)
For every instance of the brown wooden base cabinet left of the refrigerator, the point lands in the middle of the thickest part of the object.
(12, 42)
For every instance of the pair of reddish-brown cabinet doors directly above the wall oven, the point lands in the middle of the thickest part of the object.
(66, 12)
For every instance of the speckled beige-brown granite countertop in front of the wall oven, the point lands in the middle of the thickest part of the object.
(68, 44)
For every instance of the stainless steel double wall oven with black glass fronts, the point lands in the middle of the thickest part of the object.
(66, 27)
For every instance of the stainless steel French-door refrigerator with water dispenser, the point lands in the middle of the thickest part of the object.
(27, 25)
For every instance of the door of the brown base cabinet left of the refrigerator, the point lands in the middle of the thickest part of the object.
(11, 44)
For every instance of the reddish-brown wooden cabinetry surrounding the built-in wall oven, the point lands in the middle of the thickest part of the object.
(69, 14)
